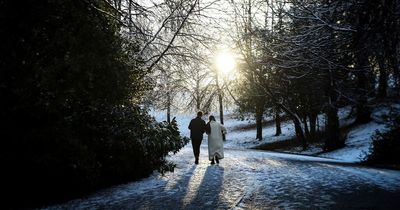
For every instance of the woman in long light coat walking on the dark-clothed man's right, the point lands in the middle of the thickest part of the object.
(215, 131)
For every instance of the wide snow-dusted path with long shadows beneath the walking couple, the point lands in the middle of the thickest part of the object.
(249, 179)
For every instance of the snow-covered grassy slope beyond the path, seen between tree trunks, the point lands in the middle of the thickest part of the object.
(357, 144)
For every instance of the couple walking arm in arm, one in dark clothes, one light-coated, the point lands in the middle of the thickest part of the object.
(214, 130)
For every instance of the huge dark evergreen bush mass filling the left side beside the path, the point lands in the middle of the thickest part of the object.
(71, 89)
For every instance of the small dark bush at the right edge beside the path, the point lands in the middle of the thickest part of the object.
(385, 149)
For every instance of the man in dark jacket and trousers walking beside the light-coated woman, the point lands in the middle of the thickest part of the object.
(197, 128)
